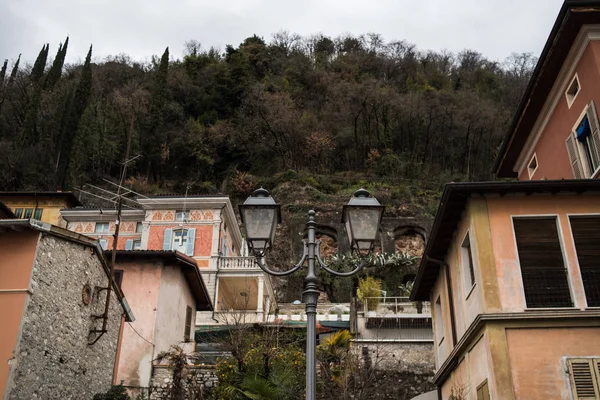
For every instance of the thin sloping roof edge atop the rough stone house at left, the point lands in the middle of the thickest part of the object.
(21, 224)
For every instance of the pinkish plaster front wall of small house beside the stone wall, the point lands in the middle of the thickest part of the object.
(141, 283)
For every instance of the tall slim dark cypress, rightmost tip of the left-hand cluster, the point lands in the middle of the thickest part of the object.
(77, 107)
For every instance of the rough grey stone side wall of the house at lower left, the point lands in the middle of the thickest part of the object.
(52, 358)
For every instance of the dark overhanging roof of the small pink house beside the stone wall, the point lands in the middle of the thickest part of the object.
(188, 267)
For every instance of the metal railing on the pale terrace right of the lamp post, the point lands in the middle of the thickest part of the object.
(383, 307)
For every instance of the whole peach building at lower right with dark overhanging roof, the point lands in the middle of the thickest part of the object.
(512, 274)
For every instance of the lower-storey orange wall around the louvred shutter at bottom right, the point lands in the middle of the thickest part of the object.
(537, 359)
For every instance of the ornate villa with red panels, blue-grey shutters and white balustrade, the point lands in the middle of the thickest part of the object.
(203, 228)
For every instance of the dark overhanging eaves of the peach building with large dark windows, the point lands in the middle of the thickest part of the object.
(450, 212)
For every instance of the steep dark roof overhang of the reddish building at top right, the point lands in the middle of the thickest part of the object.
(572, 16)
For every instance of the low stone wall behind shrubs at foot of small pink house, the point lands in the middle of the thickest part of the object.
(197, 379)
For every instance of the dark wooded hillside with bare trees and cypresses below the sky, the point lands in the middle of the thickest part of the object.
(213, 120)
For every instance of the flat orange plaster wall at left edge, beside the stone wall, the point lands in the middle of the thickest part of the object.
(17, 253)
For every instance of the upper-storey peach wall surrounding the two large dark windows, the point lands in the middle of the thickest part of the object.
(508, 270)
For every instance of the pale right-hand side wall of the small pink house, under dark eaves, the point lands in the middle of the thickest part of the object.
(173, 298)
